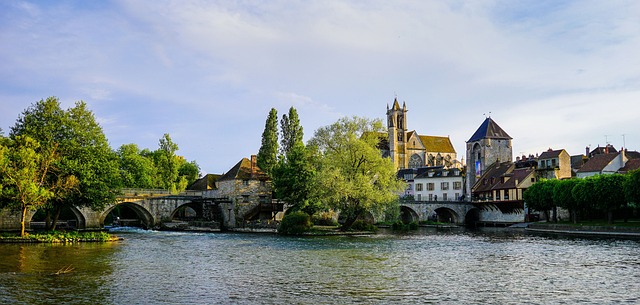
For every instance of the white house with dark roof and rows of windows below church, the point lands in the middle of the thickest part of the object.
(439, 184)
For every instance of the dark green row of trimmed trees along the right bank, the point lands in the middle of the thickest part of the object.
(589, 198)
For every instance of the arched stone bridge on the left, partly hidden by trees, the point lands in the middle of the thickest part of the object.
(153, 208)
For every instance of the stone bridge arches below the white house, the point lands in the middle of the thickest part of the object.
(456, 212)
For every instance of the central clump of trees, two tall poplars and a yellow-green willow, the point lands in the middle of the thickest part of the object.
(339, 169)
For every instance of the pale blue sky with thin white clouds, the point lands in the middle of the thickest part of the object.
(553, 74)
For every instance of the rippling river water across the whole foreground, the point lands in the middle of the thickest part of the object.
(453, 266)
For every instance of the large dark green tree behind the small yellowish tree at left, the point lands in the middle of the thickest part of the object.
(84, 153)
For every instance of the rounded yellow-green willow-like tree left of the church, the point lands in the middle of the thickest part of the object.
(353, 176)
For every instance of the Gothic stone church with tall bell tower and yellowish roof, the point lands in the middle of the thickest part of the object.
(408, 149)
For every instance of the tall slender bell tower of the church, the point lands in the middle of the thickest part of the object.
(397, 126)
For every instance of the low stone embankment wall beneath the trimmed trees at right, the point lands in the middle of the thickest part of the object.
(585, 230)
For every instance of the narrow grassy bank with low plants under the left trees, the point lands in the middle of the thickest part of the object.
(58, 237)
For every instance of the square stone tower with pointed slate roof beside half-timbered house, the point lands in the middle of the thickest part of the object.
(489, 144)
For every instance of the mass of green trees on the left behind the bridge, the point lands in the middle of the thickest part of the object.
(54, 157)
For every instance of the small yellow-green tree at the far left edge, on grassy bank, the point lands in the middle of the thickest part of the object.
(24, 166)
